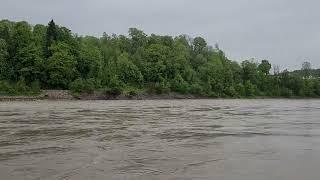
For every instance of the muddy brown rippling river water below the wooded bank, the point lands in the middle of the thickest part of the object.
(160, 139)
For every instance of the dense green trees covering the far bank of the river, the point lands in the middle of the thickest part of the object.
(52, 57)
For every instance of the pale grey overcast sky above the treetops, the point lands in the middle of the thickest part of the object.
(286, 32)
